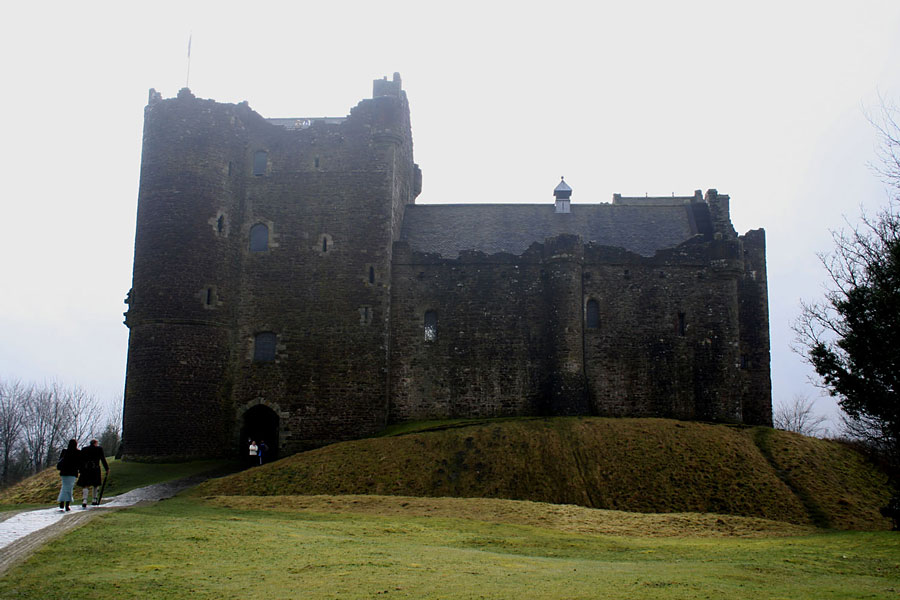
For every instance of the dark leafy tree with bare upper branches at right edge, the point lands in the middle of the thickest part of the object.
(852, 339)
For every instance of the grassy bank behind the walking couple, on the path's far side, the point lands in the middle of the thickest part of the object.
(43, 487)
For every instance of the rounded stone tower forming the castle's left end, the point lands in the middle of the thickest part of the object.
(185, 270)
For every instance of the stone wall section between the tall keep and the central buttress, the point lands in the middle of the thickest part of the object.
(489, 355)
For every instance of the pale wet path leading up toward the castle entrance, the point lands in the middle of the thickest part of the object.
(23, 533)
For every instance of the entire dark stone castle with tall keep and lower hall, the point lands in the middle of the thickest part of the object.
(287, 287)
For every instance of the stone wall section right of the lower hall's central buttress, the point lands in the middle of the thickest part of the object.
(666, 344)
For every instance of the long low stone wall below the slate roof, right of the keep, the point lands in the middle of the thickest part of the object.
(512, 339)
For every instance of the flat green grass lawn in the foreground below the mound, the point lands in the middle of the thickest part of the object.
(206, 548)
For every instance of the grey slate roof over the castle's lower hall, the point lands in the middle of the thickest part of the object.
(447, 229)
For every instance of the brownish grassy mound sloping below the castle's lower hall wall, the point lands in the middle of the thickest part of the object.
(642, 465)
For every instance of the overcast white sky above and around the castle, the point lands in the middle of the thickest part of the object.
(765, 101)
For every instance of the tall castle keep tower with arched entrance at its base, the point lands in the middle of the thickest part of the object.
(260, 302)
